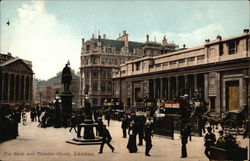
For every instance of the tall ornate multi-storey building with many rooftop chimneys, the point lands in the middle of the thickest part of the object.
(100, 56)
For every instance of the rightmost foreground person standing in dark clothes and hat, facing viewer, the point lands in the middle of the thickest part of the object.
(209, 141)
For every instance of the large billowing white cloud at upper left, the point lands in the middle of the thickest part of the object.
(38, 36)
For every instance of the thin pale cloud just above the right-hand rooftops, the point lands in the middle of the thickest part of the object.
(194, 38)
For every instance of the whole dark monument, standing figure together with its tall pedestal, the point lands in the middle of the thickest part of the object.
(66, 96)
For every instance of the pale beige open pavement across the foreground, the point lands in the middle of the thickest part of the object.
(49, 144)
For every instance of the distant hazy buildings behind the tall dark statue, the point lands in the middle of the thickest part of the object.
(44, 91)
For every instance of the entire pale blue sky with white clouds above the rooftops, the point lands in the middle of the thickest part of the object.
(49, 32)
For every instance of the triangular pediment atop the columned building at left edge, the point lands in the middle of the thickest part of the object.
(18, 66)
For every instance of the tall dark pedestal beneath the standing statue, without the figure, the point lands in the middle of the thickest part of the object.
(66, 98)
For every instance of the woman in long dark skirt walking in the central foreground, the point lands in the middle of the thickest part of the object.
(132, 138)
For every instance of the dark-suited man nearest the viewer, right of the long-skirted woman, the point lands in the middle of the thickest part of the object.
(148, 134)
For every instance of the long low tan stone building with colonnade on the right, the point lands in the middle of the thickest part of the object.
(219, 69)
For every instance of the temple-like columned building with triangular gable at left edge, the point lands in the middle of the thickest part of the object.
(16, 77)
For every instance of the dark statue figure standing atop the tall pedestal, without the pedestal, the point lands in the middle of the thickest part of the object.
(66, 78)
